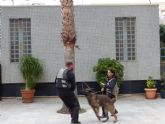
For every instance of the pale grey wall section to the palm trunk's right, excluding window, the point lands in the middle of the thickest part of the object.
(96, 37)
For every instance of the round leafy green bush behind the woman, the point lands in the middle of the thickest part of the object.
(101, 71)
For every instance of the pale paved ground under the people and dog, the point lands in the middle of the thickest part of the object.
(133, 109)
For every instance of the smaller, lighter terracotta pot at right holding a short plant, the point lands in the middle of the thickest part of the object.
(150, 93)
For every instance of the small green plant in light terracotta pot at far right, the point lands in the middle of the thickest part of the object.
(150, 91)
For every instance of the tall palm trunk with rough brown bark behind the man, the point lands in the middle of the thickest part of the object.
(68, 35)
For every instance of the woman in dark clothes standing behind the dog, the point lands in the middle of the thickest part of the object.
(109, 86)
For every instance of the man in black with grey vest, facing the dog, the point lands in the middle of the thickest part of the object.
(65, 84)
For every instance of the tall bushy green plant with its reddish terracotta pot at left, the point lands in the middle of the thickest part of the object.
(31, 70)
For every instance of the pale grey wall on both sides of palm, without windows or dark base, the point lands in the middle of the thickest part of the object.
(95, 27)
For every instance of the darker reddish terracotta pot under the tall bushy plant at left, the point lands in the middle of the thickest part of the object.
(27, 96)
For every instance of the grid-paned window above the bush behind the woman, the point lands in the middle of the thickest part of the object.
(125, 38)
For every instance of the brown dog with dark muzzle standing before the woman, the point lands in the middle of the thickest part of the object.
(96, 101)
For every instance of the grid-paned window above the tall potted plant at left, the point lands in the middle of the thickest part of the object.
(20, 38)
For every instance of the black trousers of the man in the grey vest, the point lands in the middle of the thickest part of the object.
(71, 102)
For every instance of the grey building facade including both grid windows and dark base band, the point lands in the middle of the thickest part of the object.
(128, 33)
